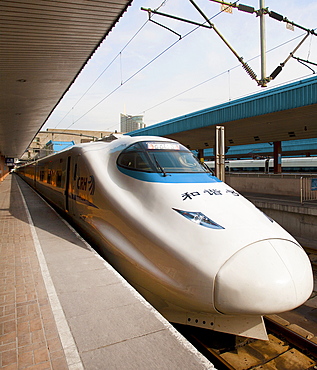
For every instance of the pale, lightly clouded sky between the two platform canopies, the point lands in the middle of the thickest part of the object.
(144, 69)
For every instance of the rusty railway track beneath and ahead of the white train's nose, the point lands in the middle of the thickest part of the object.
(285, 349)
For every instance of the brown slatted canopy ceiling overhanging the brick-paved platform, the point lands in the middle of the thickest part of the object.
(44, 44)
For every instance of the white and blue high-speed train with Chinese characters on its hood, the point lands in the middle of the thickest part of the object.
(196, 249)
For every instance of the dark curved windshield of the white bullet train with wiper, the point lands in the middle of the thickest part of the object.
(160, 156)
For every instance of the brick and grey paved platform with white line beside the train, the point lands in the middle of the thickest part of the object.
(63, 307)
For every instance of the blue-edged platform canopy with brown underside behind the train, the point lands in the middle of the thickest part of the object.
(288, 112)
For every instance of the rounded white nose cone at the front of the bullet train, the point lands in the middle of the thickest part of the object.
(266, 277)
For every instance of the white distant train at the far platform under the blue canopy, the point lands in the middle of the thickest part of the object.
(289, 165)
